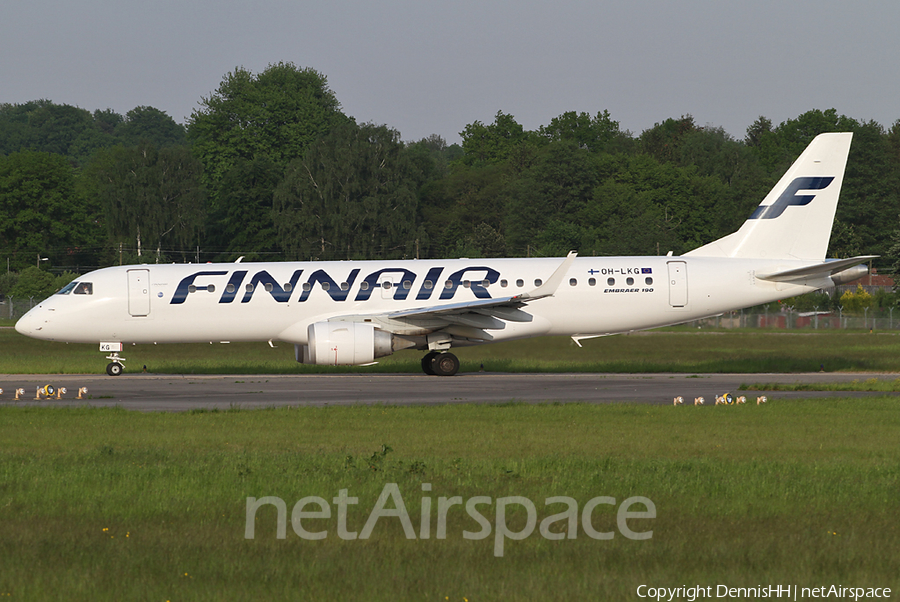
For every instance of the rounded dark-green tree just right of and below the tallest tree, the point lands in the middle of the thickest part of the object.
(351, 196)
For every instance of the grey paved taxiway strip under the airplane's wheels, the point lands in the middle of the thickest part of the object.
(149, 392)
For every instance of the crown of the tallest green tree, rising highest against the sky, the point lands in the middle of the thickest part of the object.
(275, 115)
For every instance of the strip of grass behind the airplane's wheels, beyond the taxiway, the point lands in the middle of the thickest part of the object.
(679, 350)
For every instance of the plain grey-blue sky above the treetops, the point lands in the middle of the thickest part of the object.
(425, 67)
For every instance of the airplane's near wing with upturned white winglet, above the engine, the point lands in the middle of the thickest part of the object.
(469, 319)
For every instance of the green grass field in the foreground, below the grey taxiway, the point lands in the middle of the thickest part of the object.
(104, 504)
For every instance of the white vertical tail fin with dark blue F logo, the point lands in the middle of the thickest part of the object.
(794, 220)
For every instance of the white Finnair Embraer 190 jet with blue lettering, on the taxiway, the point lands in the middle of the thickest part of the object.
(353, 312)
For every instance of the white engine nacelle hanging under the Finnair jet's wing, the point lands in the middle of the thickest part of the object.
(343, 344)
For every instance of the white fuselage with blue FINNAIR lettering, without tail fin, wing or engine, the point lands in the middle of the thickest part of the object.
(181, 303)
